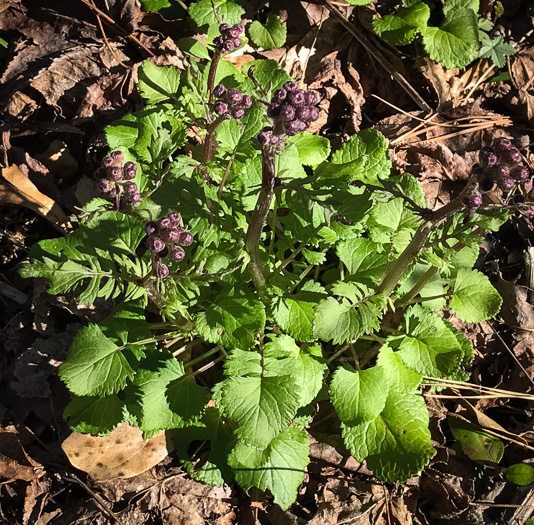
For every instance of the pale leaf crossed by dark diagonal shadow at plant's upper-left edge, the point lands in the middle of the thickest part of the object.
(157, 83)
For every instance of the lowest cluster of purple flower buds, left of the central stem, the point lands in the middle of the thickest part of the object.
(166, 238)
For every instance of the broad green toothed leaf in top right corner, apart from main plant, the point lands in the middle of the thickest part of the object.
(455, 43)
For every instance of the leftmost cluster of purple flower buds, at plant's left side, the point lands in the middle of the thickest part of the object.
(115, 180)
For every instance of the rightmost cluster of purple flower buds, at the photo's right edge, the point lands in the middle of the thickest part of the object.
(503, 165)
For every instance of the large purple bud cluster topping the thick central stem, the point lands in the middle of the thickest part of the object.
(292, 111)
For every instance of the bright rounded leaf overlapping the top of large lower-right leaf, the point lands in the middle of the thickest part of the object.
(358, 395)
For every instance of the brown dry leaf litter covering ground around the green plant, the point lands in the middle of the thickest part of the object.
(62, 72)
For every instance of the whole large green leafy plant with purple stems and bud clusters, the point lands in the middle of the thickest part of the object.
(225, 226)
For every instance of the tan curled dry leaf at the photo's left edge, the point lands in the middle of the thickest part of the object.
(19, 189)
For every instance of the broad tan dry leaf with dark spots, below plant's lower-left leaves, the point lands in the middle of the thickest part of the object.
(122, 454)
